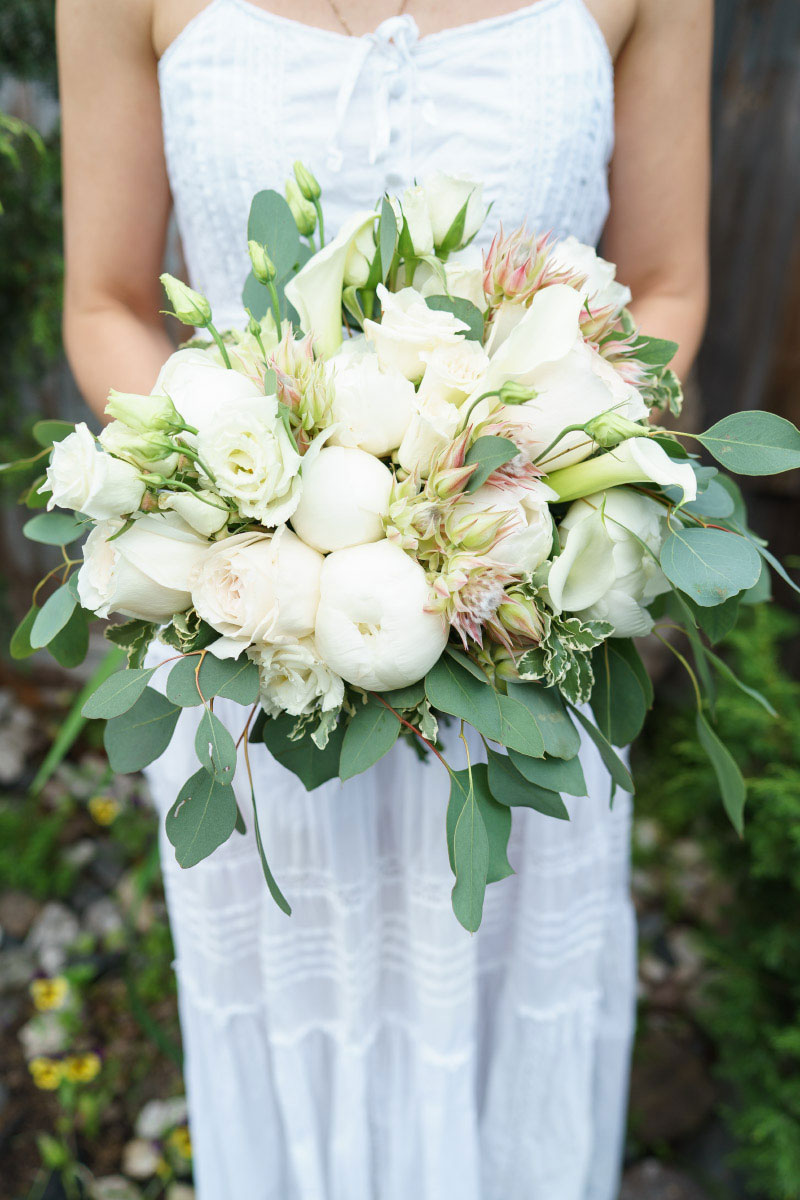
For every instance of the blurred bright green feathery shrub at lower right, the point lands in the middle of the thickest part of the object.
(751, 1007)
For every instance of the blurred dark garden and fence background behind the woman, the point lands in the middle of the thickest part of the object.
(91, 1093)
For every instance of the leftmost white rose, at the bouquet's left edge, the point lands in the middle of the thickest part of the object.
(83, 478)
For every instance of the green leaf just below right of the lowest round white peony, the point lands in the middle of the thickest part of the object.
(500, 718)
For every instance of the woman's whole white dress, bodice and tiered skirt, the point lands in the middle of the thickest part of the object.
(368, 1048)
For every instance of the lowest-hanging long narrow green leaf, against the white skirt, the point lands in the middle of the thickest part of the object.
(471, 847)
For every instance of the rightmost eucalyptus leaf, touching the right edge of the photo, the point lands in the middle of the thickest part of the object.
(754, 443)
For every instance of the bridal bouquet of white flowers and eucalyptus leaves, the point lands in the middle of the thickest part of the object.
(454, 508)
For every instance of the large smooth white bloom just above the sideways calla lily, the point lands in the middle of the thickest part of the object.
(570, 392)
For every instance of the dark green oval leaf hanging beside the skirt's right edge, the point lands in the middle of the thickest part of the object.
(621, 698)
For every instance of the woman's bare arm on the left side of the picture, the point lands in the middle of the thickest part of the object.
(116, 195)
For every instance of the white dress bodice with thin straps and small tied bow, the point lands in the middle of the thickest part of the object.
(522, 101)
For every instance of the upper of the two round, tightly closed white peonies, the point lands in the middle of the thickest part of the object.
(345, 500)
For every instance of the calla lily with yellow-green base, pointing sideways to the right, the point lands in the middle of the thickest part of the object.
(635, 461)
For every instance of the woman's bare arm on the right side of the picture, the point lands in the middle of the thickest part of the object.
(658, 229)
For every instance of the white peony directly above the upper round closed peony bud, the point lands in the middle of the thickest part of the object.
(371, 407)
